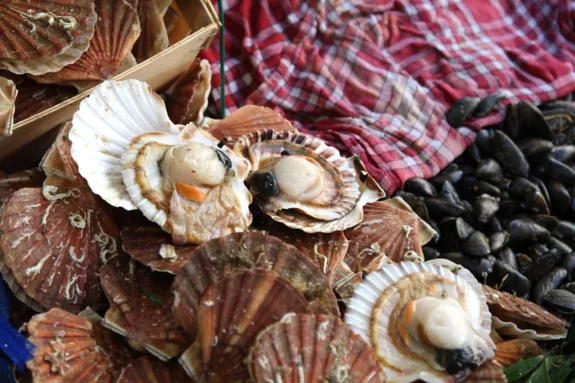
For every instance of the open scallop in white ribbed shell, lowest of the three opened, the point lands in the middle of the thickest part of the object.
(423, 321)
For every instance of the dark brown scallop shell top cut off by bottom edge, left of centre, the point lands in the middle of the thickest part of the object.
(150, 370)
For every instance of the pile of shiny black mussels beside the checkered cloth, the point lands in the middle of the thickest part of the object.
(505, 209)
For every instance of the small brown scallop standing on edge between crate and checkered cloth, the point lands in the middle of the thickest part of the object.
(188, 96)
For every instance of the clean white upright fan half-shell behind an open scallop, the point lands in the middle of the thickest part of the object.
(105, 124)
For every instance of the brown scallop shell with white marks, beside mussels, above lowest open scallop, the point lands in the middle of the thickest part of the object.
(385, 230)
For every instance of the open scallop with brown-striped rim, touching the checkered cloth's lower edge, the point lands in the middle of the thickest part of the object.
(305, 184)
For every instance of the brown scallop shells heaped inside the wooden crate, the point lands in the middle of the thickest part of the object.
(52, 49)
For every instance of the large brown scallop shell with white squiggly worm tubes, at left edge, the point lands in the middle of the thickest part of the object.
(54, 242)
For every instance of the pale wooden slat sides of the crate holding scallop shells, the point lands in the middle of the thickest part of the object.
(26, 145)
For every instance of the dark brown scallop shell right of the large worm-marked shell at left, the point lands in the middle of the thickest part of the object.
(141, 303)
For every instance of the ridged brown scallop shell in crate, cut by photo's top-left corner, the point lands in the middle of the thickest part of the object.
(42, 37)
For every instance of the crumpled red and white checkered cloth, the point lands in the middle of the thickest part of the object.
(375, 77)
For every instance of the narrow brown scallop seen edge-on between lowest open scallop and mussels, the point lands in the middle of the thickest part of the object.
(523, 313)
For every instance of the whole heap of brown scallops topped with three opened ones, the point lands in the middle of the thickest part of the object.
(159, 245)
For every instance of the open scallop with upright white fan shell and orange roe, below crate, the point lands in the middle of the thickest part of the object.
(180, 177)
